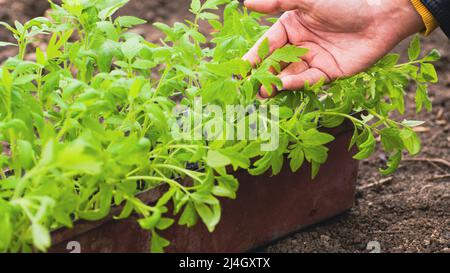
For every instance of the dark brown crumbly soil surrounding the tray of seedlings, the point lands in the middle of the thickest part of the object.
(406, 212)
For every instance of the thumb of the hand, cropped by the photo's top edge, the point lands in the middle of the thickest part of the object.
(272, 6)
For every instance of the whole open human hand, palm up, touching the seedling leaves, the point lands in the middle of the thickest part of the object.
(344, 37)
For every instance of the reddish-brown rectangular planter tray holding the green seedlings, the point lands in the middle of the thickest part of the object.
(266, 209)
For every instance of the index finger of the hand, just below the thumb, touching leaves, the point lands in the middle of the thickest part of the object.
(277, 37)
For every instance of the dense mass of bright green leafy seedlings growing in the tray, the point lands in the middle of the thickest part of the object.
(87, 124)
